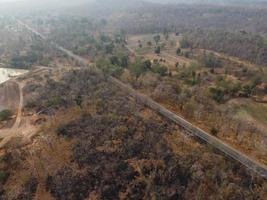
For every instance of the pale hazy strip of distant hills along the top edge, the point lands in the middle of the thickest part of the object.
(102, 7)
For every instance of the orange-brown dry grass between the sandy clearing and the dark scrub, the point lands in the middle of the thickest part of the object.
(45, 156)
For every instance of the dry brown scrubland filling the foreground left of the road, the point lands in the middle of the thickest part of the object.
(111, 149)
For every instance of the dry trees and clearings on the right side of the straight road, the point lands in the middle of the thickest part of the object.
(196, 83)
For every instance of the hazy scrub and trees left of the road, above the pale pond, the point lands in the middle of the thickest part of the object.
(18, 50)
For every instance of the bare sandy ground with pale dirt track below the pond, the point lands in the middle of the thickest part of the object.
(13, 98)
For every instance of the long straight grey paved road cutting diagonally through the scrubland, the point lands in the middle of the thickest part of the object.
(250, 163)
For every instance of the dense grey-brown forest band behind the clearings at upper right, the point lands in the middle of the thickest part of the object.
(238, 44)
